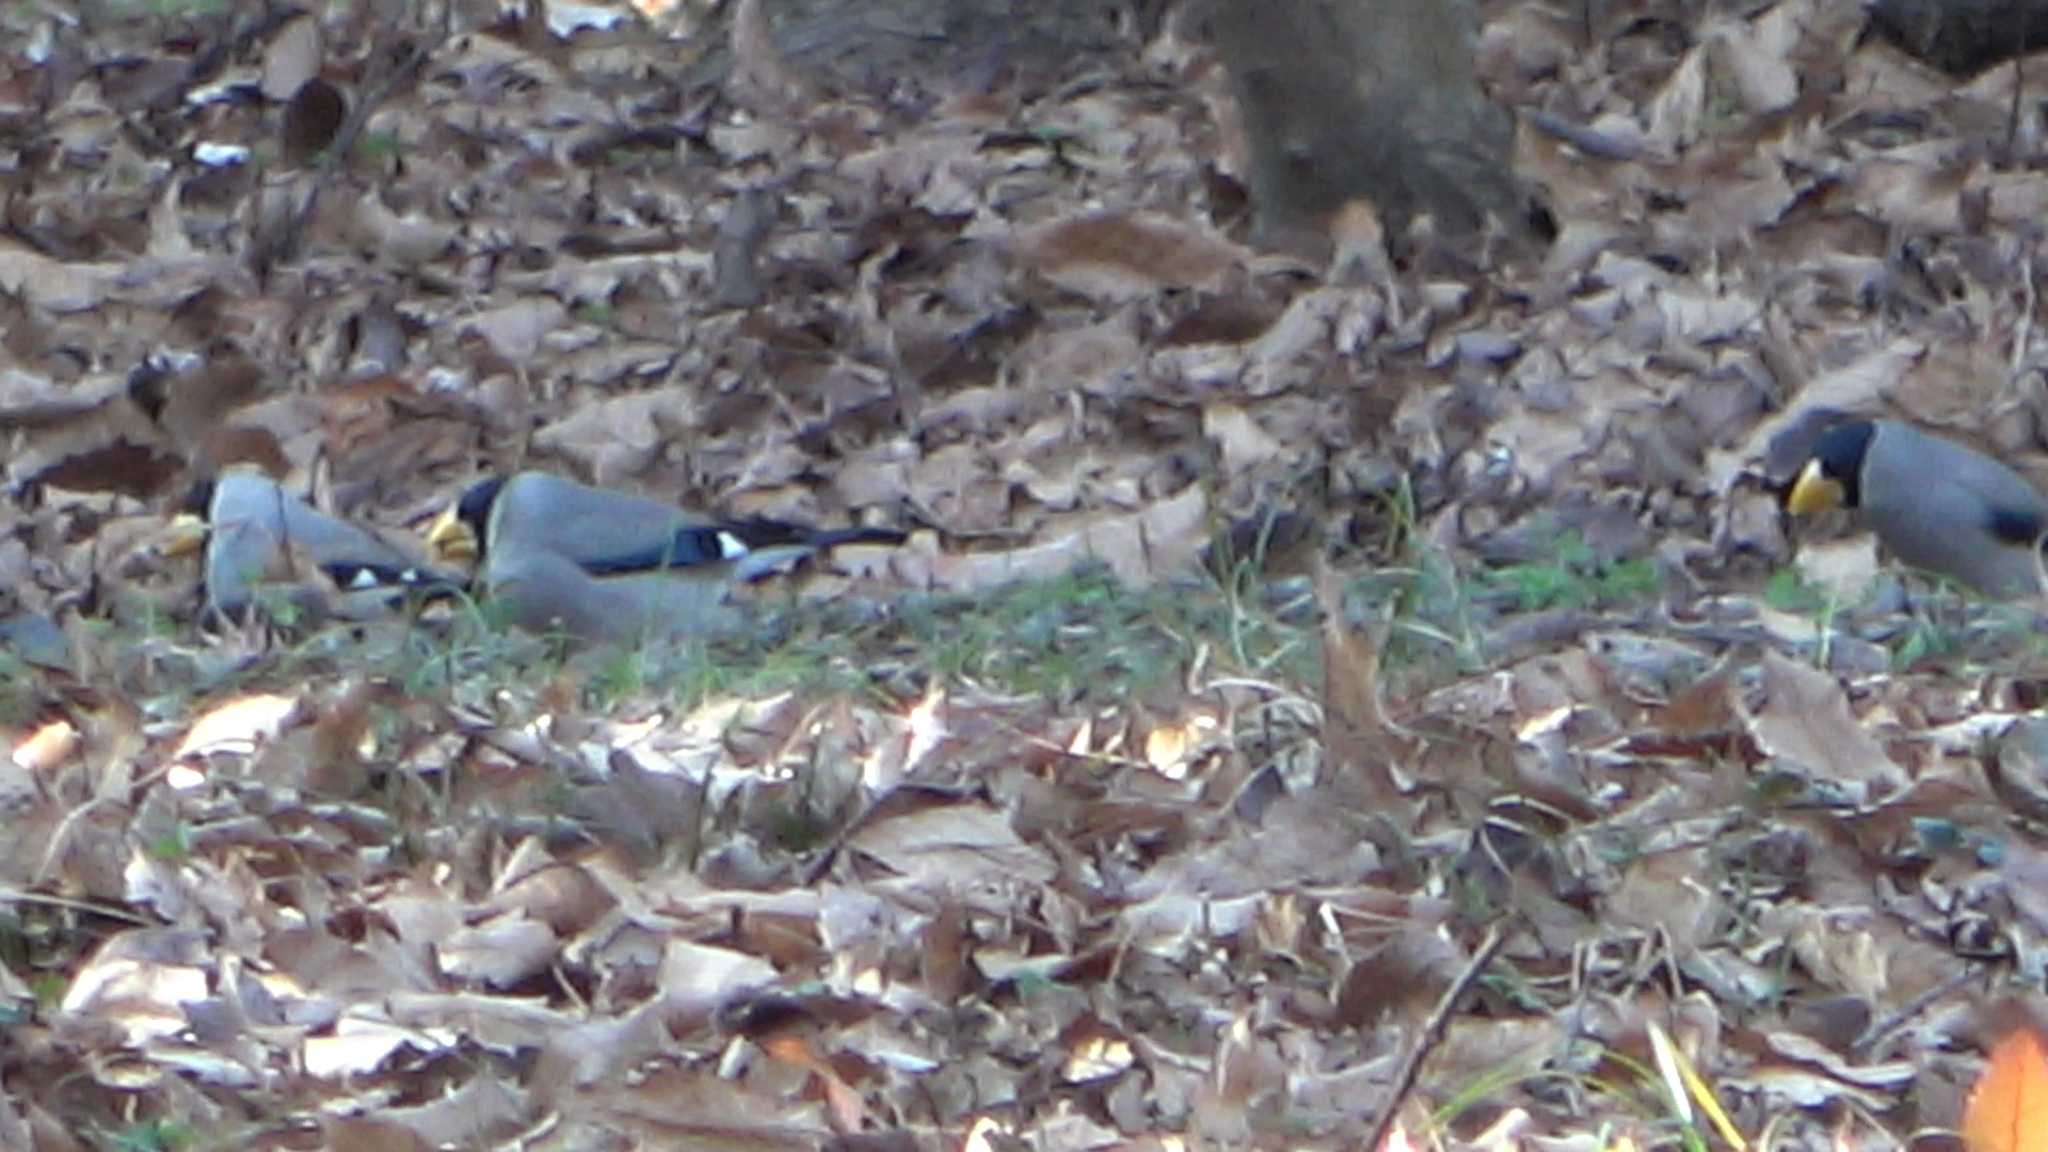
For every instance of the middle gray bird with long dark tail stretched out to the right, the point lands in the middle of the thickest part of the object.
(611, 567)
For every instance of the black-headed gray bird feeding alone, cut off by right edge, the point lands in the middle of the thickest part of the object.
(1934, 503)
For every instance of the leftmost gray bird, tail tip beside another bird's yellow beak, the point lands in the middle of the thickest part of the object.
(265, 542)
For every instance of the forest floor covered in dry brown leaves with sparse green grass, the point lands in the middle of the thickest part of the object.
(1304, 712)
